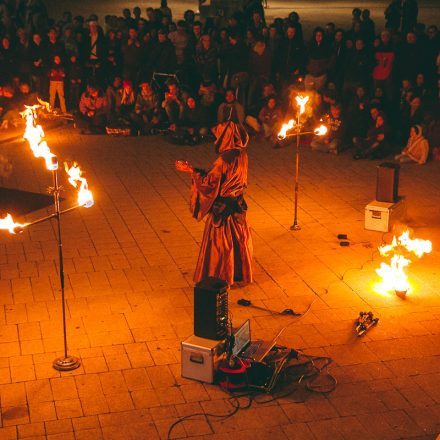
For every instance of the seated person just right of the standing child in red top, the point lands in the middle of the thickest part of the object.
(93, 109)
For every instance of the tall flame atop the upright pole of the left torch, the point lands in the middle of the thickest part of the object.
(34, 134)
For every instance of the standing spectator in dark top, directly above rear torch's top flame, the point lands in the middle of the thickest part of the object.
(319, 61)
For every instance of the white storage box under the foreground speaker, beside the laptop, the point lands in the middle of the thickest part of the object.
(200, 358)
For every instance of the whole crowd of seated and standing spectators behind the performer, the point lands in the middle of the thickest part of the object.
(377, 92)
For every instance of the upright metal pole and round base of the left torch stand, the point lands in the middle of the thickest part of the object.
(66, 362)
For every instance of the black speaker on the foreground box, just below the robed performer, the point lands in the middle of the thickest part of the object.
(211, 309)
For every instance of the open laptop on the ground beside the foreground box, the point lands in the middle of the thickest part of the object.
(244, 348)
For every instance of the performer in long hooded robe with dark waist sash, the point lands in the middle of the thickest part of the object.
(226, 249)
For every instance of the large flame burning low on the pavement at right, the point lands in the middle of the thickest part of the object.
(393, 275)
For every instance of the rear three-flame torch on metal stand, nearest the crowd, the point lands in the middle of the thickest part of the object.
(293, 128)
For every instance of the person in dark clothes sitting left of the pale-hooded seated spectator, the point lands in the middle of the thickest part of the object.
(376, 144)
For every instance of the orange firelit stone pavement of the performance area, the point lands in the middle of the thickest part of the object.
(129, 263)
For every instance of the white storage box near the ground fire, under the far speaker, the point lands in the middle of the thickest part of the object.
(380, 216)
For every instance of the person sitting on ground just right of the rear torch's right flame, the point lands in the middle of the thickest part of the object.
(332, 141)
